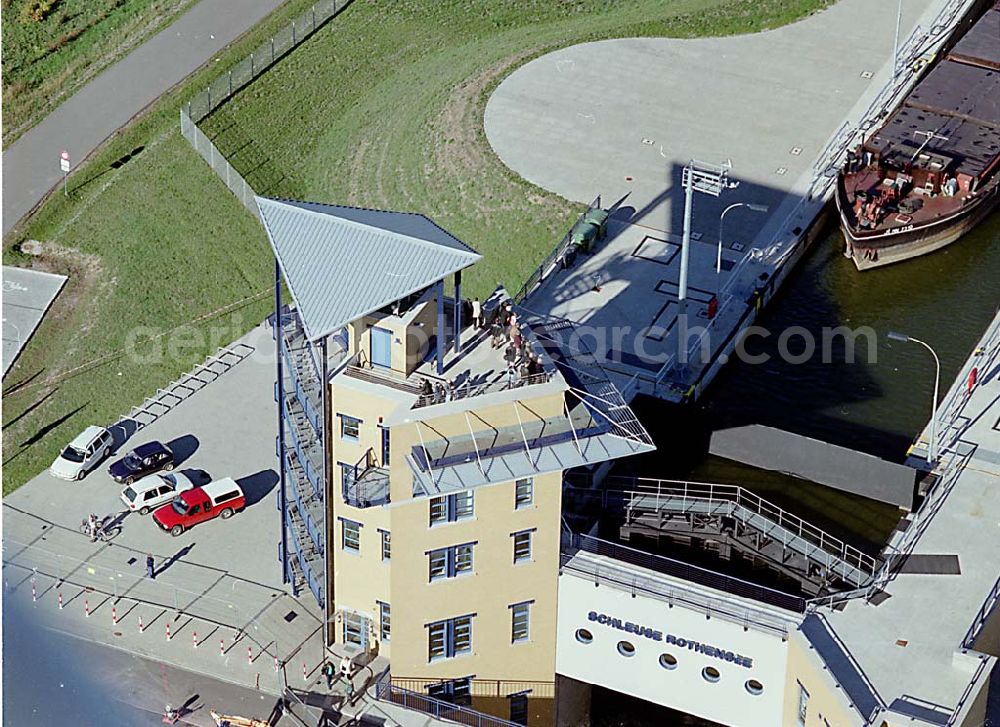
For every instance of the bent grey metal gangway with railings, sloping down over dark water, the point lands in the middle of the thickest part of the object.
(751, 521)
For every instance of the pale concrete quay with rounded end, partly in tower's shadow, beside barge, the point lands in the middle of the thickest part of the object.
(783, 105)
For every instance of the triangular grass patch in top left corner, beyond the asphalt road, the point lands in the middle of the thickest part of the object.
(52, 47)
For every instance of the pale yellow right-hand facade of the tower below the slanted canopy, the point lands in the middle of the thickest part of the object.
(496, 584)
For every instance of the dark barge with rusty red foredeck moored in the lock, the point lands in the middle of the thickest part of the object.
(931, 172)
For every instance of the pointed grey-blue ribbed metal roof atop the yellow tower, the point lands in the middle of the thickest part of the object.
(342, 263)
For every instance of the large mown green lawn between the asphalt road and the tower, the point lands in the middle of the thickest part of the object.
(382, 108)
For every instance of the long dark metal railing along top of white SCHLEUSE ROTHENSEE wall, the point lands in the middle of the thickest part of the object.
(659, 564)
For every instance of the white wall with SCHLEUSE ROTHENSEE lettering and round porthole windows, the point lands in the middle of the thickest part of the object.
(727, 701)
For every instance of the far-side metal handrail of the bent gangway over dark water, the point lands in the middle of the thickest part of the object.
(711, 493)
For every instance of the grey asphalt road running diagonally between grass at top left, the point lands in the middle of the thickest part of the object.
(85, 120)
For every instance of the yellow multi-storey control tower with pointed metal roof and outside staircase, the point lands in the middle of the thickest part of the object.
(423, 455)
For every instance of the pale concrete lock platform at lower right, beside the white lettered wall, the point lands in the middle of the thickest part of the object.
(915, 646)
